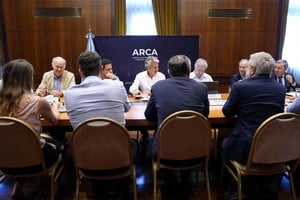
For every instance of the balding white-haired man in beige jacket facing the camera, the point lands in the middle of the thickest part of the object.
(56, 81)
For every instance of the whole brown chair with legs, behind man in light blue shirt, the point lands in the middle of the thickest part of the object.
(102, 150)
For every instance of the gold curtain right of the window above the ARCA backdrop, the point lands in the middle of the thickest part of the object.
(165, 13)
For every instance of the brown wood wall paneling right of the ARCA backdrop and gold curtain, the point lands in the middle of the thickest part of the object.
(226, 40)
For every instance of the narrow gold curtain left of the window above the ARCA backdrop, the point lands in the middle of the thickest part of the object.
(120, 17)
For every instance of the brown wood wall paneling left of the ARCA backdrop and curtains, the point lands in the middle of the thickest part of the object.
(38, 39)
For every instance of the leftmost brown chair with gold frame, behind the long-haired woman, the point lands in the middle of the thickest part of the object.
(21, 153)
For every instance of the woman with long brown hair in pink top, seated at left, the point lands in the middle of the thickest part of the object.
(17, 100)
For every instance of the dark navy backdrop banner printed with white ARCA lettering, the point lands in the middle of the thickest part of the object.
(128, 53)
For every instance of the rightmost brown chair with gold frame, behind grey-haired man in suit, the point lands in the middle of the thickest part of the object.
(274, 146)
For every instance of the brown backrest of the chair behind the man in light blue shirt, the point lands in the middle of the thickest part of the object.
(101, 144)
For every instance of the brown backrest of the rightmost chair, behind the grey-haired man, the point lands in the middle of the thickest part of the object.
(276, 140)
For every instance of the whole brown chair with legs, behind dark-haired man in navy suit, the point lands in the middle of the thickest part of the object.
(184, 138)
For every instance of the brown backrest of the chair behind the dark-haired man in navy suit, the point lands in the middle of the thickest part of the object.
(184, 135)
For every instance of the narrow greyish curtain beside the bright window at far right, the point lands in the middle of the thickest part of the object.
(283, 13)
